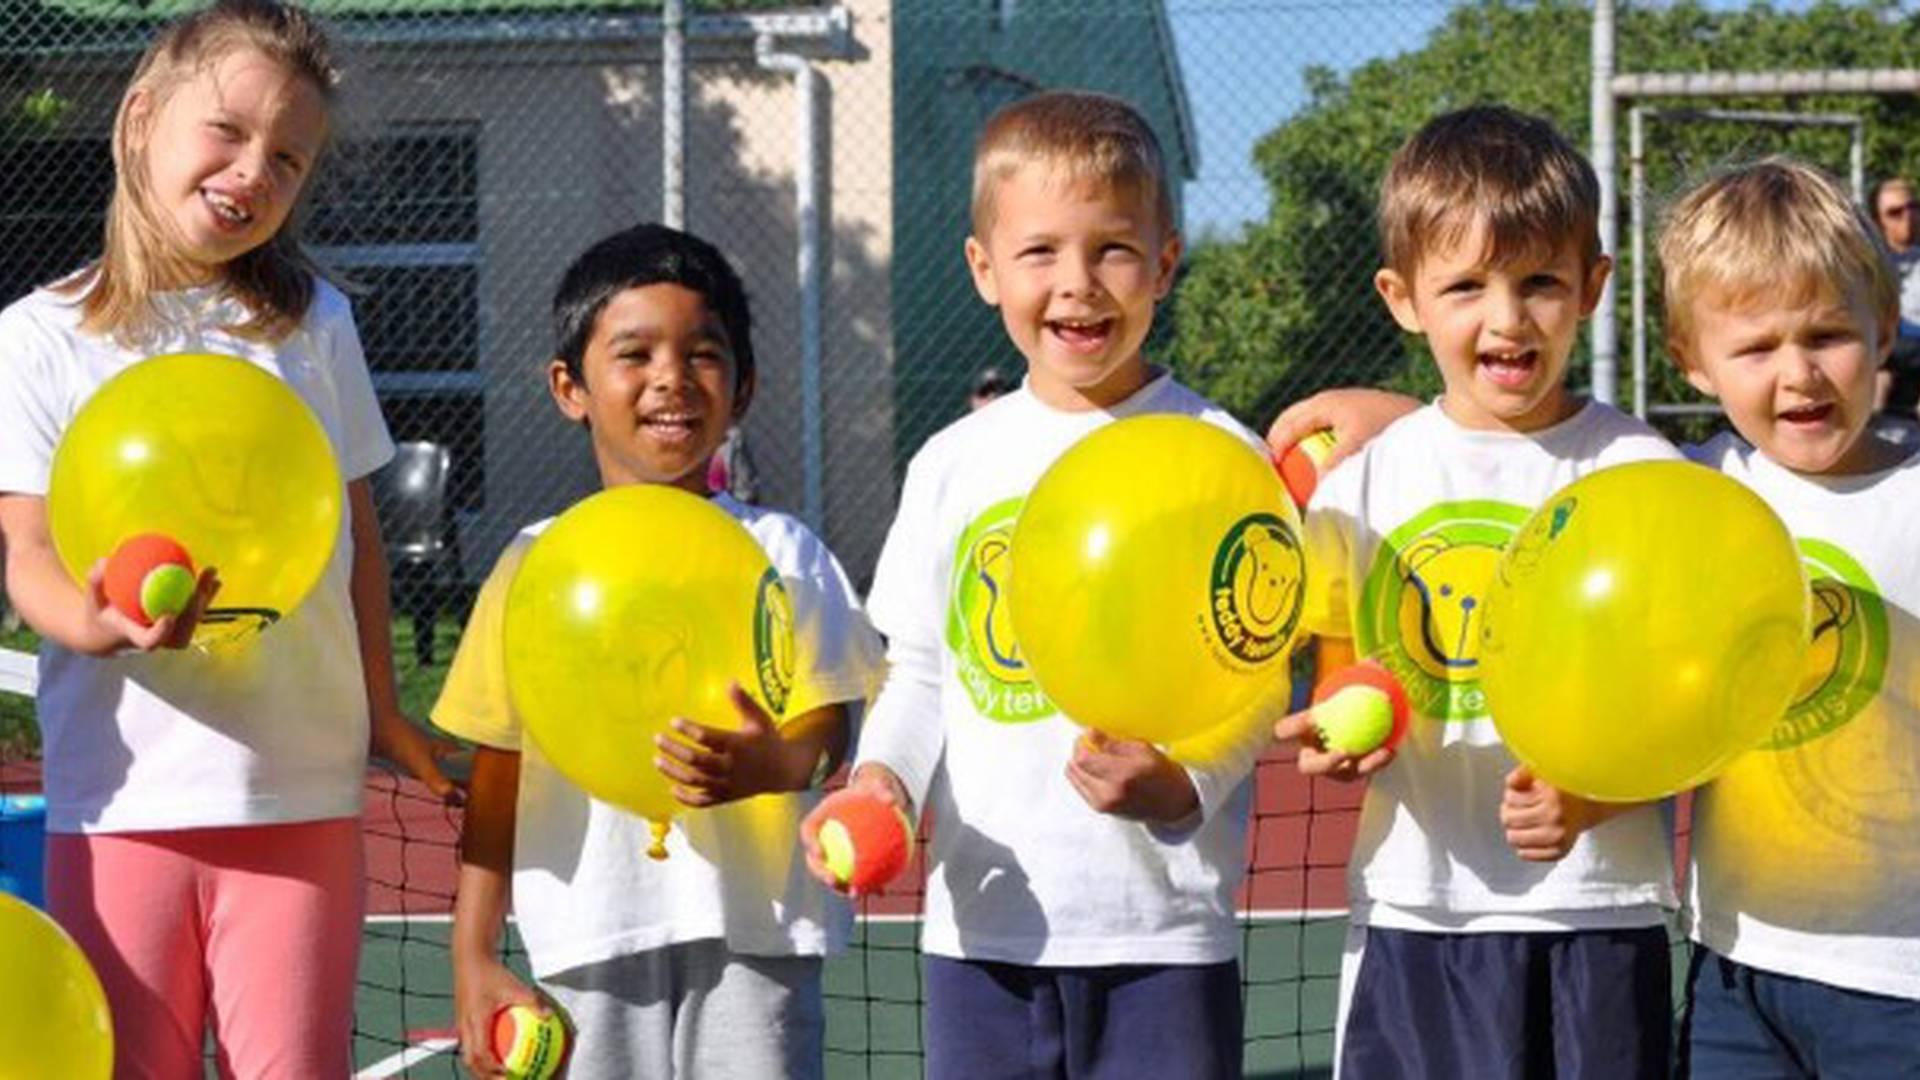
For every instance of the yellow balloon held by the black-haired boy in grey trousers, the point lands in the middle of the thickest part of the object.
(636, 606)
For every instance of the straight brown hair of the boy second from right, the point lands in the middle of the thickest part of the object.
(1489, 164)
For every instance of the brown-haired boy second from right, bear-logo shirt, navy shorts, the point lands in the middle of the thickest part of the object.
(1499, 925)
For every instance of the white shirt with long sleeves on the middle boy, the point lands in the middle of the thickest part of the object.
(1022, 870)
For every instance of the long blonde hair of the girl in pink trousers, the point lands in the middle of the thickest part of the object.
(274, 282)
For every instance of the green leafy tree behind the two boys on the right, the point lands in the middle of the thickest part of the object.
(1289, 307)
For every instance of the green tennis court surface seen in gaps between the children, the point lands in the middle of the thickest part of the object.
(873, 998)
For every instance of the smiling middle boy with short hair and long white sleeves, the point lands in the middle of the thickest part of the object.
(1080, 912)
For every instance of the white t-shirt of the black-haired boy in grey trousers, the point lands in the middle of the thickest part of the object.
(585, 889)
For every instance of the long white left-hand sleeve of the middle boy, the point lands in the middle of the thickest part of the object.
(905, 729)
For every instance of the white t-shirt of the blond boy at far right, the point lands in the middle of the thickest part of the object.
(1808, 850)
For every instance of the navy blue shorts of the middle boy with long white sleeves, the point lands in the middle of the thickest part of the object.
(994, 1021)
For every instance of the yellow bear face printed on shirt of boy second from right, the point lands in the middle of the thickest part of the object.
(1443, 604)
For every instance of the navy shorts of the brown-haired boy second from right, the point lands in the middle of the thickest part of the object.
(1558, 1006)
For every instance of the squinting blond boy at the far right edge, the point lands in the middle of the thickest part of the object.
(1781, 303)
